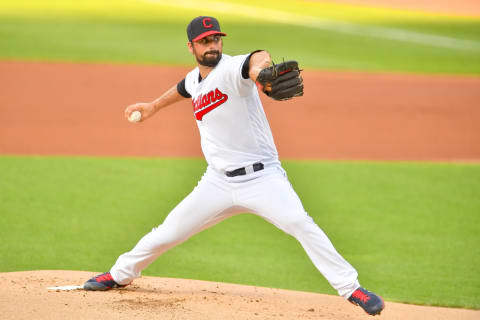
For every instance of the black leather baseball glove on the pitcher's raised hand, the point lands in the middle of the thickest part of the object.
(281, 81)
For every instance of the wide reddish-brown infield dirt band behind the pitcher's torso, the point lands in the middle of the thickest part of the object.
(79, 110)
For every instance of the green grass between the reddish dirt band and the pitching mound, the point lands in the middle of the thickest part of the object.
(410, 229)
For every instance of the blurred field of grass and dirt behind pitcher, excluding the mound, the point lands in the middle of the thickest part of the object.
(383, 148)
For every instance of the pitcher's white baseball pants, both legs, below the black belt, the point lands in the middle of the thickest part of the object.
(266, 193)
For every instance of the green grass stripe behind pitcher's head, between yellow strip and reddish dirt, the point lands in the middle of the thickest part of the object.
(165, 43)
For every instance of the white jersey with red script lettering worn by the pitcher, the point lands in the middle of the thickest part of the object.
(233, 127)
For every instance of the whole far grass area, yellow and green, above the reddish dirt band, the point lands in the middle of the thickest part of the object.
(128, 31)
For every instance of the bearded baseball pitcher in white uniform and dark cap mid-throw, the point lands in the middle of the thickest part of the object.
(244, 172)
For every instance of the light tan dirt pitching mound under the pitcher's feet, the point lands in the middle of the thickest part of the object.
(24, 295)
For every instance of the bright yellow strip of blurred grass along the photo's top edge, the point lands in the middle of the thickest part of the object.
(168, 10)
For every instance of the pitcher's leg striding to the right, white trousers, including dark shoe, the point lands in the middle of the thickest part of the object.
(273, 198)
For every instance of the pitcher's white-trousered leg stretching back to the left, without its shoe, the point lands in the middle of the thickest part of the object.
(208, 204)
